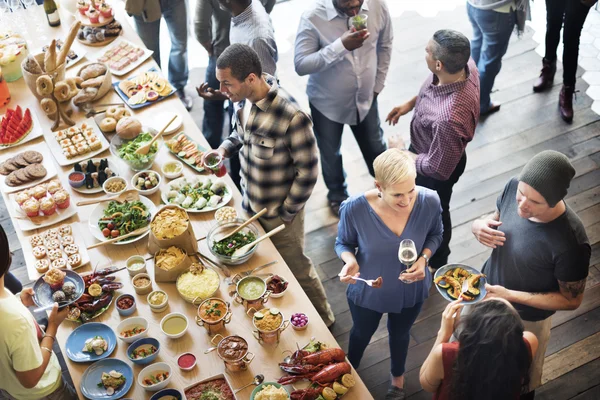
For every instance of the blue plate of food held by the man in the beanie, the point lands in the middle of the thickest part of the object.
(457, 271)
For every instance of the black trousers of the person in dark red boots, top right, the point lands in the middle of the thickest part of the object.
(573, 14)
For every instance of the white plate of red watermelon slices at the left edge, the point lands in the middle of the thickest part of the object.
(18, 126)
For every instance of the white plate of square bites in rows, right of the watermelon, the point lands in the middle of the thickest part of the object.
(77, 143)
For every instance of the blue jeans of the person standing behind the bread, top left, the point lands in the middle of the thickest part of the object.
(175, 14)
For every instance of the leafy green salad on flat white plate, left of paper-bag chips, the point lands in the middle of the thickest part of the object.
(121, 218)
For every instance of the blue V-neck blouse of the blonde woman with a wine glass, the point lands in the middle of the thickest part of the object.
(363, 232)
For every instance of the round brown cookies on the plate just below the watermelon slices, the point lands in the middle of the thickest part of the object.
(23, 168)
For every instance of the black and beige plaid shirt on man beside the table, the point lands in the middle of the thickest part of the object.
(278, 154)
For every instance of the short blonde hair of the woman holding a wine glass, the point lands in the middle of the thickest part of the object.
(393, 166)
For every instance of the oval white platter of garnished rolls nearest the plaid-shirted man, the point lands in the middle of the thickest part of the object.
(195, 182)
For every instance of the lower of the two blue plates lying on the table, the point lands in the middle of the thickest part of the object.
(93, 374)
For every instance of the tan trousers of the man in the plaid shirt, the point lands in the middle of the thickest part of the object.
(290, 244)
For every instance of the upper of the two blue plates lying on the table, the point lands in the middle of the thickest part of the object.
(76, 341)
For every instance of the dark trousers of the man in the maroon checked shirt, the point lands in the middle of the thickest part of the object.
(444, 190)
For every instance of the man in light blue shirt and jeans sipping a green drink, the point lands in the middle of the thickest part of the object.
(347, 69)
